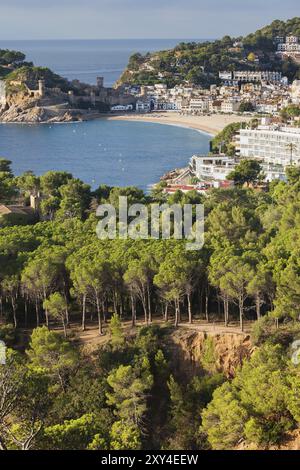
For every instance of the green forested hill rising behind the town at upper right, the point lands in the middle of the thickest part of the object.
(200, 63)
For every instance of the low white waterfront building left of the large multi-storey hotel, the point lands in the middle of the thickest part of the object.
(211, 167)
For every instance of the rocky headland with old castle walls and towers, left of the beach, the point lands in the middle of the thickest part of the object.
(30, 94)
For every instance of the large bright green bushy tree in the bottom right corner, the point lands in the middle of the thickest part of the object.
(259, 405)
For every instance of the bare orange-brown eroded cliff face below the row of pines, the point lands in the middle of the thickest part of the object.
(187, 347)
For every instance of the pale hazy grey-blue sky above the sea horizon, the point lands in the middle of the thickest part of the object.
(32, 19)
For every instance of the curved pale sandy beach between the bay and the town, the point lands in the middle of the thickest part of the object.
(211, 124)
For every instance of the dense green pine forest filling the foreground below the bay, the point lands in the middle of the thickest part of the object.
(56, 275)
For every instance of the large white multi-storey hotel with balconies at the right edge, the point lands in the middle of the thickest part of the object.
(271, 144)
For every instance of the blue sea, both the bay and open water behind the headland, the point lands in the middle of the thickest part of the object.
(117, 153)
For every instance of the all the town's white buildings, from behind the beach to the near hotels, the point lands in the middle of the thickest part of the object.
(264, 102)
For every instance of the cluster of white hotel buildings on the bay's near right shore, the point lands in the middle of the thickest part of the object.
(273, 145)
